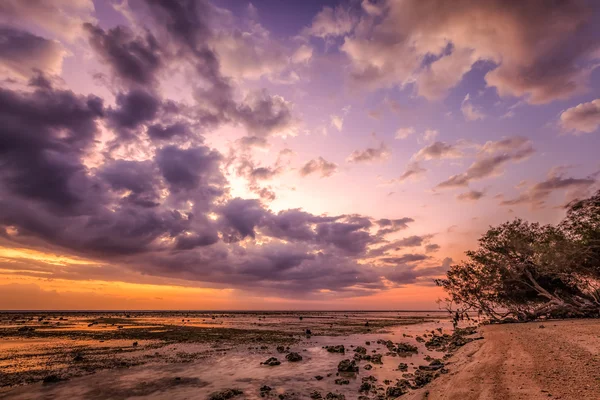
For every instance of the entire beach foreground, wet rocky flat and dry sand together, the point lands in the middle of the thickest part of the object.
(293, 355)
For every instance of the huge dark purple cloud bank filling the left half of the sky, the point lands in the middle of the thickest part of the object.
(170, 215)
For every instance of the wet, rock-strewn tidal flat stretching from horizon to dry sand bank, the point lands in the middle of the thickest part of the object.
(221, 355)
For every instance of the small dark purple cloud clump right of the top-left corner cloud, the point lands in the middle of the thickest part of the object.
(132, 59)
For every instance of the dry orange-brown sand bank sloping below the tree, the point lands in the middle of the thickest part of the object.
(522, 361)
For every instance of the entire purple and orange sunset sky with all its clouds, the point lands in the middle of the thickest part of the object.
(235, 155)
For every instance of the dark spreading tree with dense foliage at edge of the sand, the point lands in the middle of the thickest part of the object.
(526, 270)
